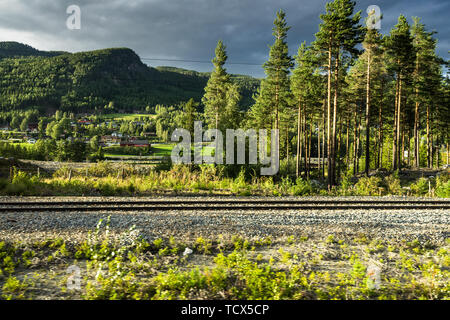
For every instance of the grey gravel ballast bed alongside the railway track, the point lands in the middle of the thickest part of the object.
(429, 225)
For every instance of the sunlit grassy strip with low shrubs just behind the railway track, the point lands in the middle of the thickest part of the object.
(104, 179)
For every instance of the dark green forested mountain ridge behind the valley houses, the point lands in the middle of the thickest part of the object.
(90, 81)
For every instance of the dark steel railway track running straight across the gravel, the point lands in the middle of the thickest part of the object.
(225, 204)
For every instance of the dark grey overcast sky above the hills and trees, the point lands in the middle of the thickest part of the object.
(189, 29)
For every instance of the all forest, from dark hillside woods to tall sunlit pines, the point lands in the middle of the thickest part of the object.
(354, 99)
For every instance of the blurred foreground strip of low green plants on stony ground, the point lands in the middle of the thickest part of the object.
(126, 266)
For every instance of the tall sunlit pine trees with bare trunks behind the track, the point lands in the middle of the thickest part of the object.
(354, 94)
